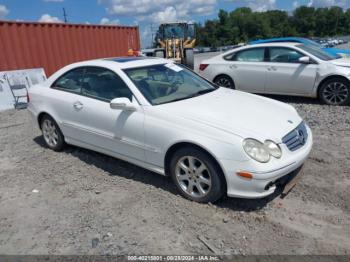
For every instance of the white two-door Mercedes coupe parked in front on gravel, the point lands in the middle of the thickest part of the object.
(165, 118)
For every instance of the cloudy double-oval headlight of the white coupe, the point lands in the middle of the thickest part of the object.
(261, 152)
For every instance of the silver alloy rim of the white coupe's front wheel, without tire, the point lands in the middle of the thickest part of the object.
(193, 176)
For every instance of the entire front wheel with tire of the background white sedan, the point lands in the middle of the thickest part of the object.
(335, 92)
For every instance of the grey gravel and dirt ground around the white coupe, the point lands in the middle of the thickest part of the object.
(81, 202)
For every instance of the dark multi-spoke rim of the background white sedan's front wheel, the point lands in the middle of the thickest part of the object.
(335, 93)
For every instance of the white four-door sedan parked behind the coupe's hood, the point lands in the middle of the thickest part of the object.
(283, 69)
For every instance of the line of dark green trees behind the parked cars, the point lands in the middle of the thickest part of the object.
(242, 25)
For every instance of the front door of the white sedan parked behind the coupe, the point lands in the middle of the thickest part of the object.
(286, 75)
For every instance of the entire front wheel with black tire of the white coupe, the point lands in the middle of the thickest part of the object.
(196, 175)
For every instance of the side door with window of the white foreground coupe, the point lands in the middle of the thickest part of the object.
(92, 122)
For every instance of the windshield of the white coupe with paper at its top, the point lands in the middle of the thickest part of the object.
(167, 83)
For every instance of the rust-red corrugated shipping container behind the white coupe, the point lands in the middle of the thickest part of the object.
(25, 45)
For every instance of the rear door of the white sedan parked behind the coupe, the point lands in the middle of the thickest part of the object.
(248, 69)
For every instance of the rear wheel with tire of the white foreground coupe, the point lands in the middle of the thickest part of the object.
(52, 134)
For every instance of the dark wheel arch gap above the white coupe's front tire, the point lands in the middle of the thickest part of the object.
(173, 148)
